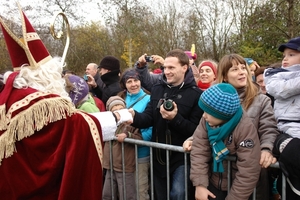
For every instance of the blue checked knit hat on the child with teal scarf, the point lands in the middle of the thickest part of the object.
(220, 100)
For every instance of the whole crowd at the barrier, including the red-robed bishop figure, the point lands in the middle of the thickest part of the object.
(57, 128)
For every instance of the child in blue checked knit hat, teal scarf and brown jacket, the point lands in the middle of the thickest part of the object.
(224, 130)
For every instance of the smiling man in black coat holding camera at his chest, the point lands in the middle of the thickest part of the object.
(172, 124)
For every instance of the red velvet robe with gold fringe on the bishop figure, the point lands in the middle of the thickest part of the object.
(57, 150)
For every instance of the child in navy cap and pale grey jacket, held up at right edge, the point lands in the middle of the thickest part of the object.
(283, 84)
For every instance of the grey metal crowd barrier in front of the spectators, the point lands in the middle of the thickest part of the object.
(169, 148)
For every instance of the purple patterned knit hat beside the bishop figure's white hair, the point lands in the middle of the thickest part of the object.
(77, 88)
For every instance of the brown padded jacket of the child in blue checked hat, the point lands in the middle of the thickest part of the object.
(243, 143)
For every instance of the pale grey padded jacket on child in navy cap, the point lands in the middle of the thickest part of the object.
(283, 84)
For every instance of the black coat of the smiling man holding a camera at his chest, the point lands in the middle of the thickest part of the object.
(174, 131)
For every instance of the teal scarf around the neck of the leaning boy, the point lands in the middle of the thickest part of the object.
(216, 137)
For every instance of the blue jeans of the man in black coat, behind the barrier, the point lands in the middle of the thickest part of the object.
(177, 188)
